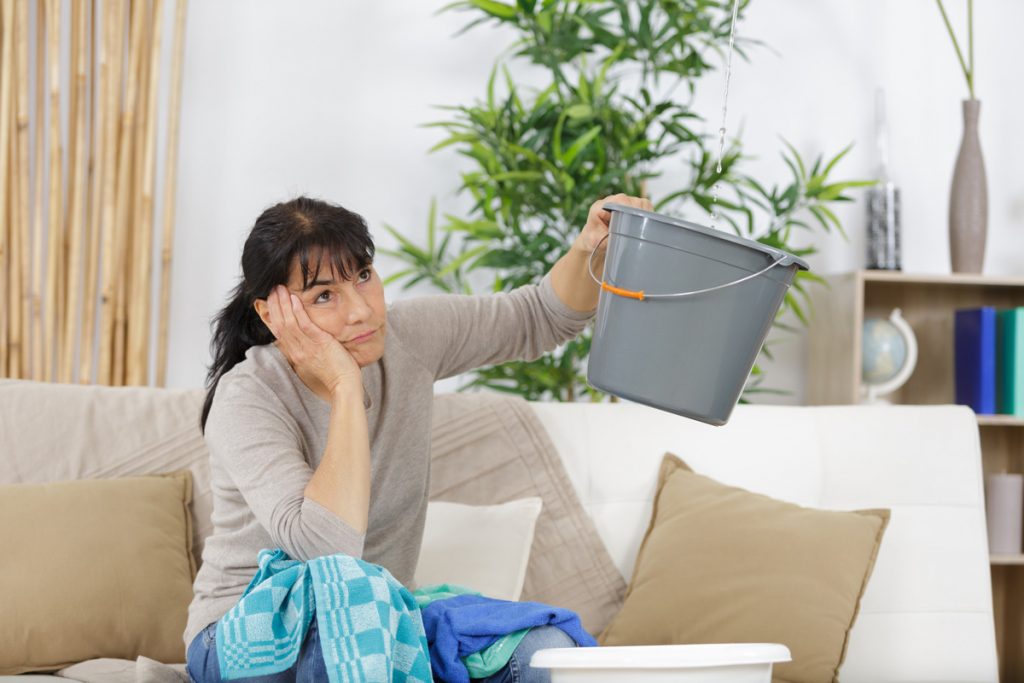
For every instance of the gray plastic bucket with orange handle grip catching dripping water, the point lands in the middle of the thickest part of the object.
(684, 313)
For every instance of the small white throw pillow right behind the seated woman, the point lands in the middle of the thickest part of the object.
(483, 547)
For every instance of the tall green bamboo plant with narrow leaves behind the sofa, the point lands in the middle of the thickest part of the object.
(609, 120)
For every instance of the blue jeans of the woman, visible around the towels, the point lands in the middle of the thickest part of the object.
(310, 668)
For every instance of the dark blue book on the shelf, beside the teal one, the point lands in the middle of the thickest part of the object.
(974, 358)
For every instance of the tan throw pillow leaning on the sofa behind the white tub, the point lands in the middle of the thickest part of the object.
(721, 565)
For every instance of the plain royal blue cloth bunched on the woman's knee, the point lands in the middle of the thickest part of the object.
(466, 624)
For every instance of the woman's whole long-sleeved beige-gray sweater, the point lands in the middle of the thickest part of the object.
(267, 434)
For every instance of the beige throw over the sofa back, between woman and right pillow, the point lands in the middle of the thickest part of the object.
(490, 449)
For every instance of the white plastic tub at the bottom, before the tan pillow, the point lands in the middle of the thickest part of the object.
(732, 663)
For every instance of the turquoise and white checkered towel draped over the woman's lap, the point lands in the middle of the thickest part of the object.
(370, 625)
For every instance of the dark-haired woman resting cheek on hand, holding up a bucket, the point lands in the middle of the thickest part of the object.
(318, 413)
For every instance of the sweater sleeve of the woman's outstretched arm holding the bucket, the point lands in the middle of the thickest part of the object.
(451, 334)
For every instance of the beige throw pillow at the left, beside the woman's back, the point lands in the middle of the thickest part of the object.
(95, 569)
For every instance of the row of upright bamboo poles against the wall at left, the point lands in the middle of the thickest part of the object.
(78, 195)
